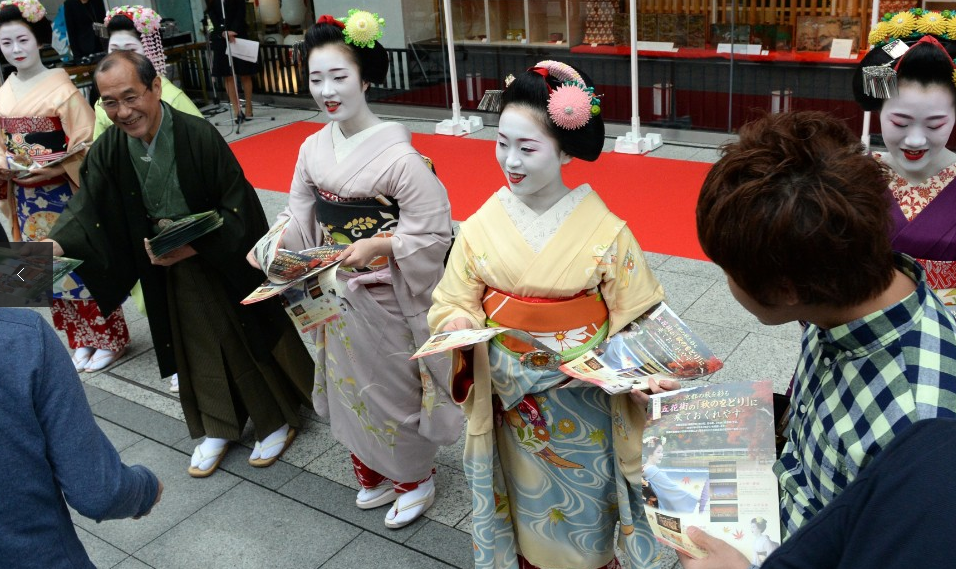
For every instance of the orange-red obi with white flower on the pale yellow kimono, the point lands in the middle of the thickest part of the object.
(550, 315)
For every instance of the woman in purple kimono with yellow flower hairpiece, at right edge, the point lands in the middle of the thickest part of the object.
(909, 77)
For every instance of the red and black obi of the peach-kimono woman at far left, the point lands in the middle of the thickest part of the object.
(41, 138)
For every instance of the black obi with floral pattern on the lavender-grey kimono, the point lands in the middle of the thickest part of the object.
(346, 220)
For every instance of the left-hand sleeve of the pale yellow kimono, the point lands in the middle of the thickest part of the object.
(459, 292)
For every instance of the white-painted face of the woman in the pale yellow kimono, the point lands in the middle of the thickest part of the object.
(529, 157)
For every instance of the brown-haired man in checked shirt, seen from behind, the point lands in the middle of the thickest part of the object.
(796, 215)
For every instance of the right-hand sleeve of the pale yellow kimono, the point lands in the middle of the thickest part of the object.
(629, 286)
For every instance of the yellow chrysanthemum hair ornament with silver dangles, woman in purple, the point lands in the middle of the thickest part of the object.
(893, 34)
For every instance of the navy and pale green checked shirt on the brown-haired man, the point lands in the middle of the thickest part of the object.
(856, 387)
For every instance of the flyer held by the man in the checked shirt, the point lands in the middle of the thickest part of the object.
(708, 462)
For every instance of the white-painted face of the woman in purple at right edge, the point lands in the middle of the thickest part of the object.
(916, 125)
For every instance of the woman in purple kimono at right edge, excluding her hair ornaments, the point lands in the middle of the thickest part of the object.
(916, 124)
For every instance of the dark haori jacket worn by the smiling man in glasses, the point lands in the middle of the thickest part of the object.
(105, 223)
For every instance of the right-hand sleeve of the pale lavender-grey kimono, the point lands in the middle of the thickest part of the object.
(423, 233)
